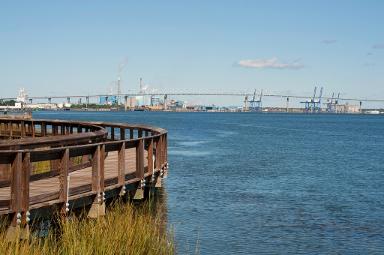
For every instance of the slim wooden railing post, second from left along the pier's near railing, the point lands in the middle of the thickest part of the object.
(64, 185)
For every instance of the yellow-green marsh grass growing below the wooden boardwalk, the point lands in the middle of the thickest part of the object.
(125, 229)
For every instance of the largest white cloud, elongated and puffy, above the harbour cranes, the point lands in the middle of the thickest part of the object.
(272, 63)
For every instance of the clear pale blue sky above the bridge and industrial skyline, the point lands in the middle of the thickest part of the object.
(76, 47)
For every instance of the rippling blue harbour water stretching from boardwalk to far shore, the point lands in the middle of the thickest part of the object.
(248, 183)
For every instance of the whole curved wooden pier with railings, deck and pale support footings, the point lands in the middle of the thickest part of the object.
(49, 166)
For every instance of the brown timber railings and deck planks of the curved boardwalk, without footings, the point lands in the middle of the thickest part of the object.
(109, 164)
